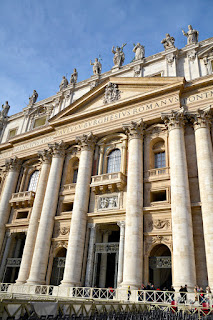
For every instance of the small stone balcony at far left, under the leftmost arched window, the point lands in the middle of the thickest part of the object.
(22, 199)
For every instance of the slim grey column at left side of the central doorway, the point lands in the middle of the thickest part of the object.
(91, 253)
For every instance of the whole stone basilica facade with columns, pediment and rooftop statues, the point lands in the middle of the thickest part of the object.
(109, 183)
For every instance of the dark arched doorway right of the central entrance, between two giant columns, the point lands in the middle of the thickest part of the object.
(160, 272)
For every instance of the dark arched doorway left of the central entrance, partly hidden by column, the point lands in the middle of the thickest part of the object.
(58, 267)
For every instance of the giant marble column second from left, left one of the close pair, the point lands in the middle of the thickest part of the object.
(34, 218)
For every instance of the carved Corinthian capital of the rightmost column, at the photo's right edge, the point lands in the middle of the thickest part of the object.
(202, 118)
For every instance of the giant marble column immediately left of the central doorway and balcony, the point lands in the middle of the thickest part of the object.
(74, 258)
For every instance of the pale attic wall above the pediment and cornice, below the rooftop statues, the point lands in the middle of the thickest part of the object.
(193, 61)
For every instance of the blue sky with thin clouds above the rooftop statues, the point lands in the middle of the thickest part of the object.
(42, 40)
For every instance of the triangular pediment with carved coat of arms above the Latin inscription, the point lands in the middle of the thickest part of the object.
(115, 91)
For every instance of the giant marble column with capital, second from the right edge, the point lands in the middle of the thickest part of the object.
(182, 230)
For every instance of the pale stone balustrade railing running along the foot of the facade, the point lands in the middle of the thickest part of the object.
(170, 298)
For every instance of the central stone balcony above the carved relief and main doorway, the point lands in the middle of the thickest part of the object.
(108, 182)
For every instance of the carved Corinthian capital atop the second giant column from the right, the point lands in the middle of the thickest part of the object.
(174, 119)
